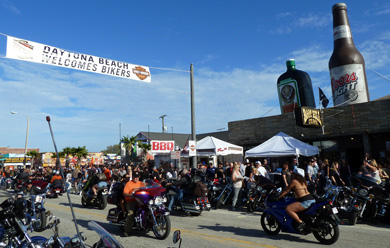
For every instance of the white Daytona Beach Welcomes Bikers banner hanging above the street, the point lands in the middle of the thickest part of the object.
(39, 53)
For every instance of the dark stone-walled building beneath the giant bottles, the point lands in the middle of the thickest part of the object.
(349, 131)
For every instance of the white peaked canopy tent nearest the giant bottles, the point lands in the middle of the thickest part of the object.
(282, 145)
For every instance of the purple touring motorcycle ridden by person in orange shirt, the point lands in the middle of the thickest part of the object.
(150, 214)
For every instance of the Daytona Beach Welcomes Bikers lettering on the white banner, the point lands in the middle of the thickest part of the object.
(78, 61)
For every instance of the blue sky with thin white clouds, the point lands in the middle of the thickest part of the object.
(238, 50)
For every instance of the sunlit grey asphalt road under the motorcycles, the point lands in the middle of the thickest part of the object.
(217, 228)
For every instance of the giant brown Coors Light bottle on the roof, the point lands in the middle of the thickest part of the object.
(346, 65)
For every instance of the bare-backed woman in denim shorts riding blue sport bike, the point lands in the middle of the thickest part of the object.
(304, 199)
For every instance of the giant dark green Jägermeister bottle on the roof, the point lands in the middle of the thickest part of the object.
(294, 89)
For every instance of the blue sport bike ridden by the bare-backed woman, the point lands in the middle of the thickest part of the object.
(320, 219)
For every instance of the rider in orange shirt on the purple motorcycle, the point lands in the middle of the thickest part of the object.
(131, 203)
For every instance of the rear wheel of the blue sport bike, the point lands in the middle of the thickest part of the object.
(328, 232)
